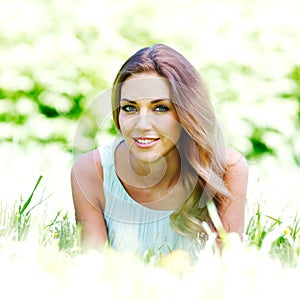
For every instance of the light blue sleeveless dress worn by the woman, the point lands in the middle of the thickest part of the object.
(130, 225)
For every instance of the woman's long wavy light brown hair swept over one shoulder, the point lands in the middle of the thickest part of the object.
(201, 145)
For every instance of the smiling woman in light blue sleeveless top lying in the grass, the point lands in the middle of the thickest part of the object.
(148, 191)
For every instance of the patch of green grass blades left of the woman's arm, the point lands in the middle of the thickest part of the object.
(16, 224)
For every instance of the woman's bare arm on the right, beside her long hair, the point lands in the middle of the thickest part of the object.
(236, 179)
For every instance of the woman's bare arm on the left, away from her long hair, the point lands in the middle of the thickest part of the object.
(88, 199)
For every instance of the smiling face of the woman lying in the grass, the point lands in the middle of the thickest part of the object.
(148, 119)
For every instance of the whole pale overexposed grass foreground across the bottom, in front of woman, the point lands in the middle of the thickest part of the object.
(45, 252)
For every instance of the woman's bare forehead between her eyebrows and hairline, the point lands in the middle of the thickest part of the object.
(145, 85)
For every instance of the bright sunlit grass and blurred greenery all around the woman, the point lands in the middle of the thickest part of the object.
(57, 57)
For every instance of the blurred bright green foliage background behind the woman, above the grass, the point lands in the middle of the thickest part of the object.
(56, 57)
